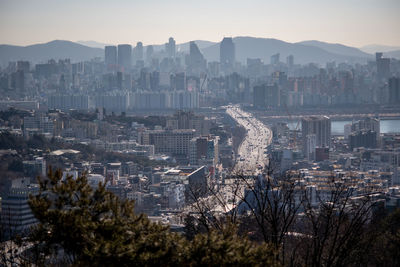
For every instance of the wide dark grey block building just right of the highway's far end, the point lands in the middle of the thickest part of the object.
(266, 96)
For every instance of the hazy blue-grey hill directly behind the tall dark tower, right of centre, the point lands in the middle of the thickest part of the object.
(264, 48)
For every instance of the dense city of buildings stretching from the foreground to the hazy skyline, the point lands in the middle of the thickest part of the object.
(275, 148)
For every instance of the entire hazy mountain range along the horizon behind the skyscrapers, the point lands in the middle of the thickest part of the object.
(246, 47)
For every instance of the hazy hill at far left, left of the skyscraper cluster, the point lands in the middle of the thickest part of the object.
(57, 49)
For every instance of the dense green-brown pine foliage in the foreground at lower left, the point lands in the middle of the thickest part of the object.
(85, 226)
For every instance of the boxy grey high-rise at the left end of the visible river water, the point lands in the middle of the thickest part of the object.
(318, 126)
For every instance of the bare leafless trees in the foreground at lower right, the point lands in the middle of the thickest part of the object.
(331, 228)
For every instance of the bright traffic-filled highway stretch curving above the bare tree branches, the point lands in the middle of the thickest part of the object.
(252, 153)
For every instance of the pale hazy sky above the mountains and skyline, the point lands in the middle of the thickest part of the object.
(351, 22)
